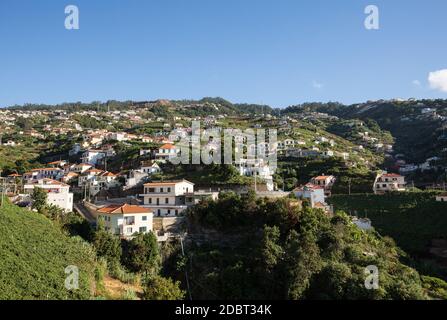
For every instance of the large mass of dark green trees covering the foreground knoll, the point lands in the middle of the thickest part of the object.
(261, 249)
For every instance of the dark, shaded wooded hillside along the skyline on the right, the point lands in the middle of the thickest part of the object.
(418, 126)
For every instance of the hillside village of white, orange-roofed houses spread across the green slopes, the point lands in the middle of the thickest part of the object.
(114, 163)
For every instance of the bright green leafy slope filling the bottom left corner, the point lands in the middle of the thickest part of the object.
(35, 254)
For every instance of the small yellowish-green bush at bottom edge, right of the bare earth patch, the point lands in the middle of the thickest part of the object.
(159, 288)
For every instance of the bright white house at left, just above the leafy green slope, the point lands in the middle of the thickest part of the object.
(58, 193)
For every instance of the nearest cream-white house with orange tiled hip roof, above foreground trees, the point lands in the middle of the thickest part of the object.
(125, 220)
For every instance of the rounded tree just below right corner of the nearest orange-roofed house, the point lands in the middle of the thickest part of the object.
(143, 254)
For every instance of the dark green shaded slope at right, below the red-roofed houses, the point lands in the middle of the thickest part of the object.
(413, 219)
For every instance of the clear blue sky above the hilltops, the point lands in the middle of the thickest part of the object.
(274, 52)
